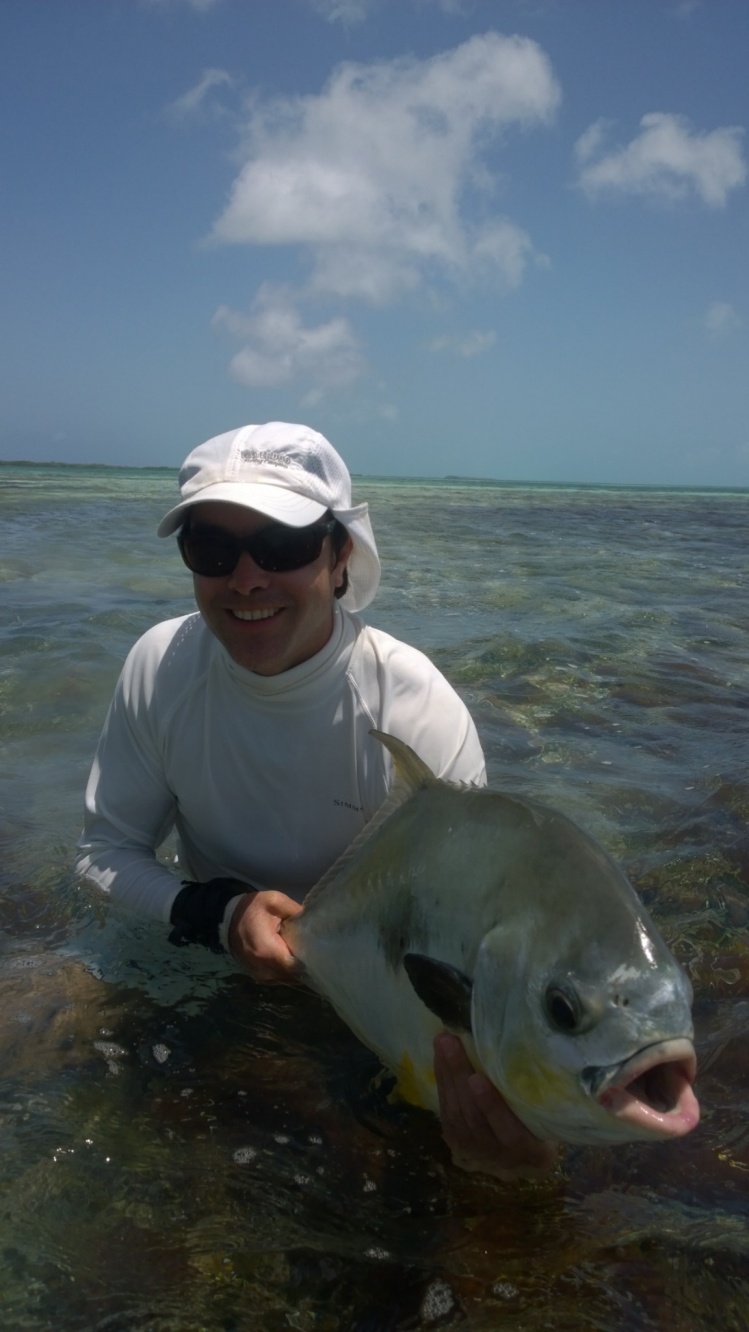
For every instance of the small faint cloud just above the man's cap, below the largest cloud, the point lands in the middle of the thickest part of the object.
(281, 350)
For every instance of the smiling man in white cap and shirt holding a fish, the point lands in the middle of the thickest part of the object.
(247, 725)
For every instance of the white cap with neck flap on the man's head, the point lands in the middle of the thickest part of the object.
(290, 474)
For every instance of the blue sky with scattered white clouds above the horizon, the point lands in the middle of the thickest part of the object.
(479, 238)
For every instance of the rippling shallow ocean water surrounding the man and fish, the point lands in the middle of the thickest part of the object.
(183, 1150)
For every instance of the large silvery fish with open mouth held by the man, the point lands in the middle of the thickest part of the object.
(500, 920)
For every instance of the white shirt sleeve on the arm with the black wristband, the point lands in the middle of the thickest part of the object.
(130, 808)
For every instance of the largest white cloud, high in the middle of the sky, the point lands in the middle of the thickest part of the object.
(373, 176)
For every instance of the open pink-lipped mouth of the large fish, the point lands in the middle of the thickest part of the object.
(652, 1090)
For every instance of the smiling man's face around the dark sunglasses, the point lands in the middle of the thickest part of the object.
(269, 623)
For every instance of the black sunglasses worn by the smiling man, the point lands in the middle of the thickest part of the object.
(215, 553)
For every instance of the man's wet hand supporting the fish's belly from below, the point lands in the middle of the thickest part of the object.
(479, 1126)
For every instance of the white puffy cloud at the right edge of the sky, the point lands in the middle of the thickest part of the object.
(667, 161)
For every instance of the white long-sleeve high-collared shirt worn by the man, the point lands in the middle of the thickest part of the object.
(266, 779)
